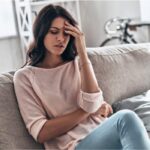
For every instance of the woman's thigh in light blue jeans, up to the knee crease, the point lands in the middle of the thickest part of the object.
(105, 136)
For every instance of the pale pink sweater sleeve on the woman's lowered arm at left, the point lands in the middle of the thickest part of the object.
(30, 106)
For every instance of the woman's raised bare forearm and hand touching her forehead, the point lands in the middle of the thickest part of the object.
(88, 80)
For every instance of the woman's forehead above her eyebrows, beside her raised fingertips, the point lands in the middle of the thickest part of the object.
(59, 22)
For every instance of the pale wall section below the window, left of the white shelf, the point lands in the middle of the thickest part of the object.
(10, 54)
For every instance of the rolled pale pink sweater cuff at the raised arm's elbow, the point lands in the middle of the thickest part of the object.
(90, 102)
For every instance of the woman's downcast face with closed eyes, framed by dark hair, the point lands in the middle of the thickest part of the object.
(56, 40)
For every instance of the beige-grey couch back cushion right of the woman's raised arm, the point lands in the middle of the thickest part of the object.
(122, 71)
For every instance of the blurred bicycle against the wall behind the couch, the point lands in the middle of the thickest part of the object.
(121, 34)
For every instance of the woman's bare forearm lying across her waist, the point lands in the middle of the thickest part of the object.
(60, 125)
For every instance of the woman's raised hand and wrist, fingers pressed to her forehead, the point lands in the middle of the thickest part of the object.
(78, 35)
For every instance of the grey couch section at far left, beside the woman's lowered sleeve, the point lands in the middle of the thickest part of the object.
(13, 133)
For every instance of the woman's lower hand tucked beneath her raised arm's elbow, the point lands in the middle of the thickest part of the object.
(105, 110)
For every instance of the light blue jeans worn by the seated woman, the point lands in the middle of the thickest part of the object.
(123, 130)
